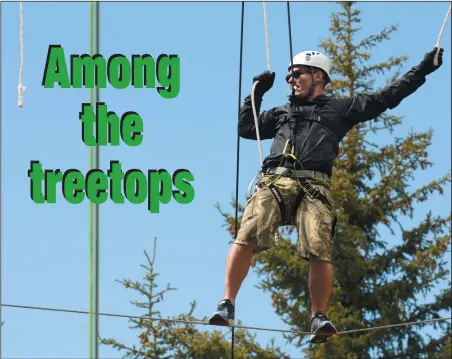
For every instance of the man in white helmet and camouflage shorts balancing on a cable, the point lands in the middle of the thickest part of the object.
(295, 185)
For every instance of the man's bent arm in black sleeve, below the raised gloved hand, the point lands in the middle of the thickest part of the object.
(247, 127)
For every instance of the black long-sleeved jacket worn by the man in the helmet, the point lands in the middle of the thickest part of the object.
(322, 123)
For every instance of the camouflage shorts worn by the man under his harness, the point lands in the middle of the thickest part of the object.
(315, 222)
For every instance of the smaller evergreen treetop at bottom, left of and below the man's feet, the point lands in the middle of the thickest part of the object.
(179, 340)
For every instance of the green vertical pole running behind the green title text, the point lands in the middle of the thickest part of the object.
(94, 208)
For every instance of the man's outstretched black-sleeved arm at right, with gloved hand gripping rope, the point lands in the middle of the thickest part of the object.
(365, 107)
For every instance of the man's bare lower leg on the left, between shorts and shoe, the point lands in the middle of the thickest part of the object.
(237, 267)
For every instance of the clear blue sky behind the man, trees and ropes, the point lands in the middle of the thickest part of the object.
(45, 248)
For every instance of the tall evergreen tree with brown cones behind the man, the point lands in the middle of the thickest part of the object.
(375, 284)
